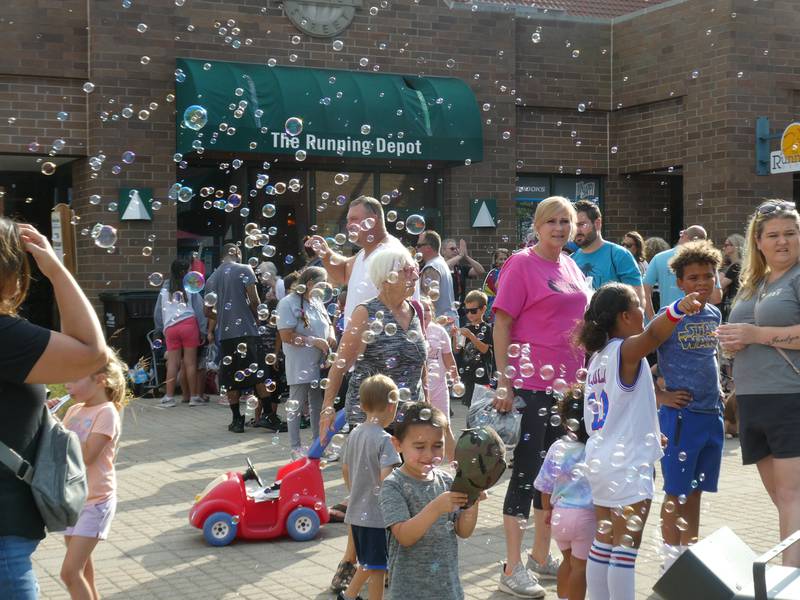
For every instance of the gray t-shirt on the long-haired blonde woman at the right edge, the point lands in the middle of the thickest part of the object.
(760, 369)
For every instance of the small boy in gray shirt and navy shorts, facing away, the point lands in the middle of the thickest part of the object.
(368, 458)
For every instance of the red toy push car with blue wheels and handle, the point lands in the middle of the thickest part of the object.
(240, 505)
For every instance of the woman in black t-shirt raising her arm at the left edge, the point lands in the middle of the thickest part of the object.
(31, 356)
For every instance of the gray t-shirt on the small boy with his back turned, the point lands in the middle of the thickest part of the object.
(369, 449)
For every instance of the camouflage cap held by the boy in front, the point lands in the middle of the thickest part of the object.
(480, 454)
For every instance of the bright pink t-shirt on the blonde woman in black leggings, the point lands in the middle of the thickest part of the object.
(547, 301)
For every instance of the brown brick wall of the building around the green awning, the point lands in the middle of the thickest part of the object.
(634, 76)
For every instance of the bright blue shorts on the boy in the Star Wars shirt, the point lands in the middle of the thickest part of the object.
(693, 454)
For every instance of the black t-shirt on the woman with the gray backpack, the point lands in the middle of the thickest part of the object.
(21, 345)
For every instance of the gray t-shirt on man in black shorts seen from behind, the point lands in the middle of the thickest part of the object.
(234, 317)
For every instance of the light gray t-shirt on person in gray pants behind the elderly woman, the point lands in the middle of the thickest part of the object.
(302, 363)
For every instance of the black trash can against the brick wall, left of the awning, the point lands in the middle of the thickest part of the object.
(127, 317)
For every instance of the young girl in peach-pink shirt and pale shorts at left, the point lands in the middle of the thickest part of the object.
(95, 418)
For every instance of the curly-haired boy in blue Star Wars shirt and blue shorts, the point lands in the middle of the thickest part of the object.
(690, 410)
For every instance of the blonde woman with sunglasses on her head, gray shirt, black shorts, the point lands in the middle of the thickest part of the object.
(764, 335)
